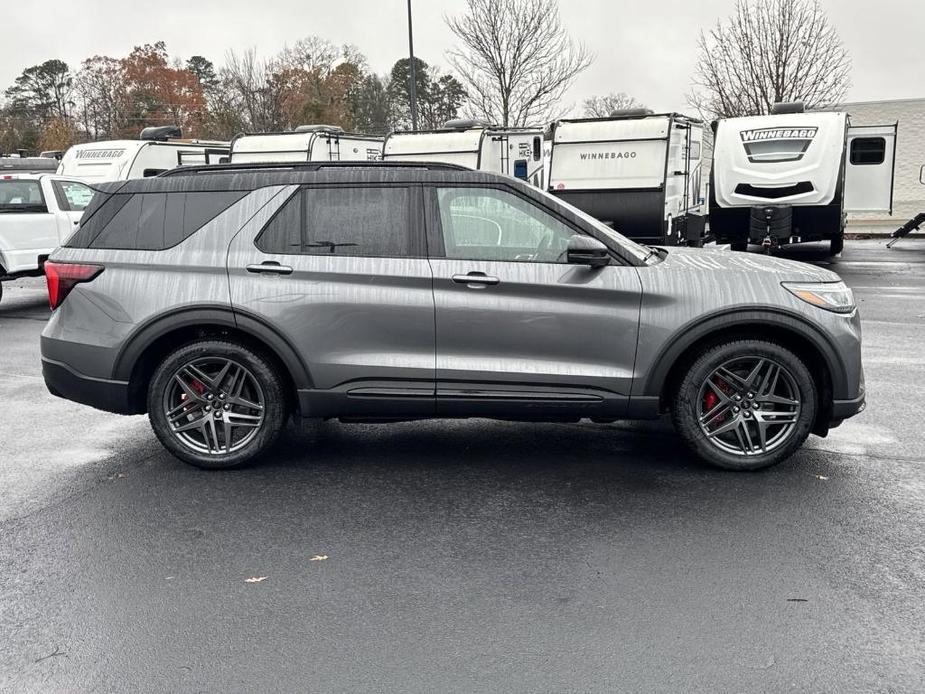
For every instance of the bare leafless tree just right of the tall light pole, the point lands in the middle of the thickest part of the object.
(515, 59)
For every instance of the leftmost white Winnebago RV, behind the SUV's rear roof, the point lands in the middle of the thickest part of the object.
(159, 149)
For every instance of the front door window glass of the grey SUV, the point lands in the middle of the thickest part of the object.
(492, 224)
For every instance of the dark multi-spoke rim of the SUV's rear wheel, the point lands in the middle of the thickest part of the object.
(214, 406)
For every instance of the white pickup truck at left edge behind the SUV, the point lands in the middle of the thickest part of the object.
(38, 212)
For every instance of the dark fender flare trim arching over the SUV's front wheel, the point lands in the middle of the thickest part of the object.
(715, 324)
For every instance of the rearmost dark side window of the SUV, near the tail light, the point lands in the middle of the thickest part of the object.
(150, 221)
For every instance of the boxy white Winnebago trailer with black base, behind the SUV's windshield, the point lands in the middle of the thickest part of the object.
(637, 171)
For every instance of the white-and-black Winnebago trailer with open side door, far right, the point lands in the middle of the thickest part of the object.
(793, 176)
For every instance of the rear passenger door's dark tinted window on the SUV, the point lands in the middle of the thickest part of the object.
(361, 221)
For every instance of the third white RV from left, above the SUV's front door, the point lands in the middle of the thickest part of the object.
(516, 152)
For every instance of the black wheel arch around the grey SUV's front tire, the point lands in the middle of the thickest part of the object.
(792, 332)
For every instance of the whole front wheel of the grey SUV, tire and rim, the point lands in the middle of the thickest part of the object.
(745, 405)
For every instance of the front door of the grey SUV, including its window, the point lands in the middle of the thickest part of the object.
(520, 332)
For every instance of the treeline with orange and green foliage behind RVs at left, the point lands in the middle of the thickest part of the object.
(51, 106)
